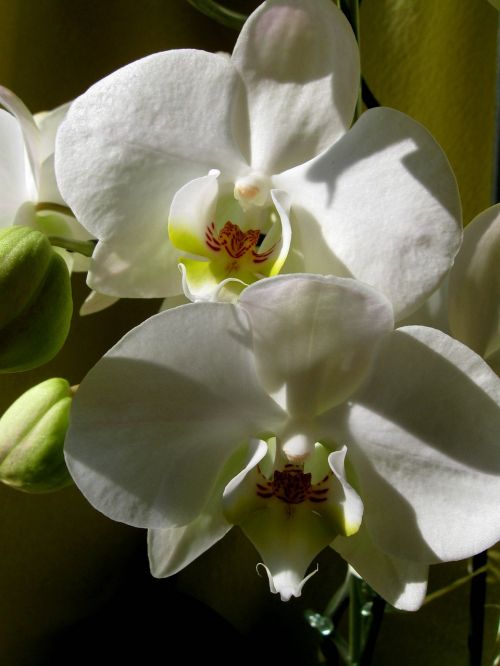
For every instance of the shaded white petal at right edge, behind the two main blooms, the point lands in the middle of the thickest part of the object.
(474, 305)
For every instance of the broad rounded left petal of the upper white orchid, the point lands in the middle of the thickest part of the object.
(134, 138)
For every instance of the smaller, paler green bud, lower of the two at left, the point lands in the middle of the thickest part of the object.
(32, 433)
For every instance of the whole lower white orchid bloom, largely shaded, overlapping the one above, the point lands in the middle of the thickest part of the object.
(302, 416)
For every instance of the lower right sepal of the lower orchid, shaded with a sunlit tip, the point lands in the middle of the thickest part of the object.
(403, 584)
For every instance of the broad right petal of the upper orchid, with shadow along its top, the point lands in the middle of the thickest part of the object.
(386, 203)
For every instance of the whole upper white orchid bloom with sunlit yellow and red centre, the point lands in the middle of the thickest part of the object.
(239, 168)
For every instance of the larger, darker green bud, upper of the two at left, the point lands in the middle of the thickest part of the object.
(35, 300)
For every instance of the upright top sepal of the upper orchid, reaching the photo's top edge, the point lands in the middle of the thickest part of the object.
(300, 64)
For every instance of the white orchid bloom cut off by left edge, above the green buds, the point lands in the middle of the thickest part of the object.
(28, 190)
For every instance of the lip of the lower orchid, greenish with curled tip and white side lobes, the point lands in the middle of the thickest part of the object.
(288, 534)
